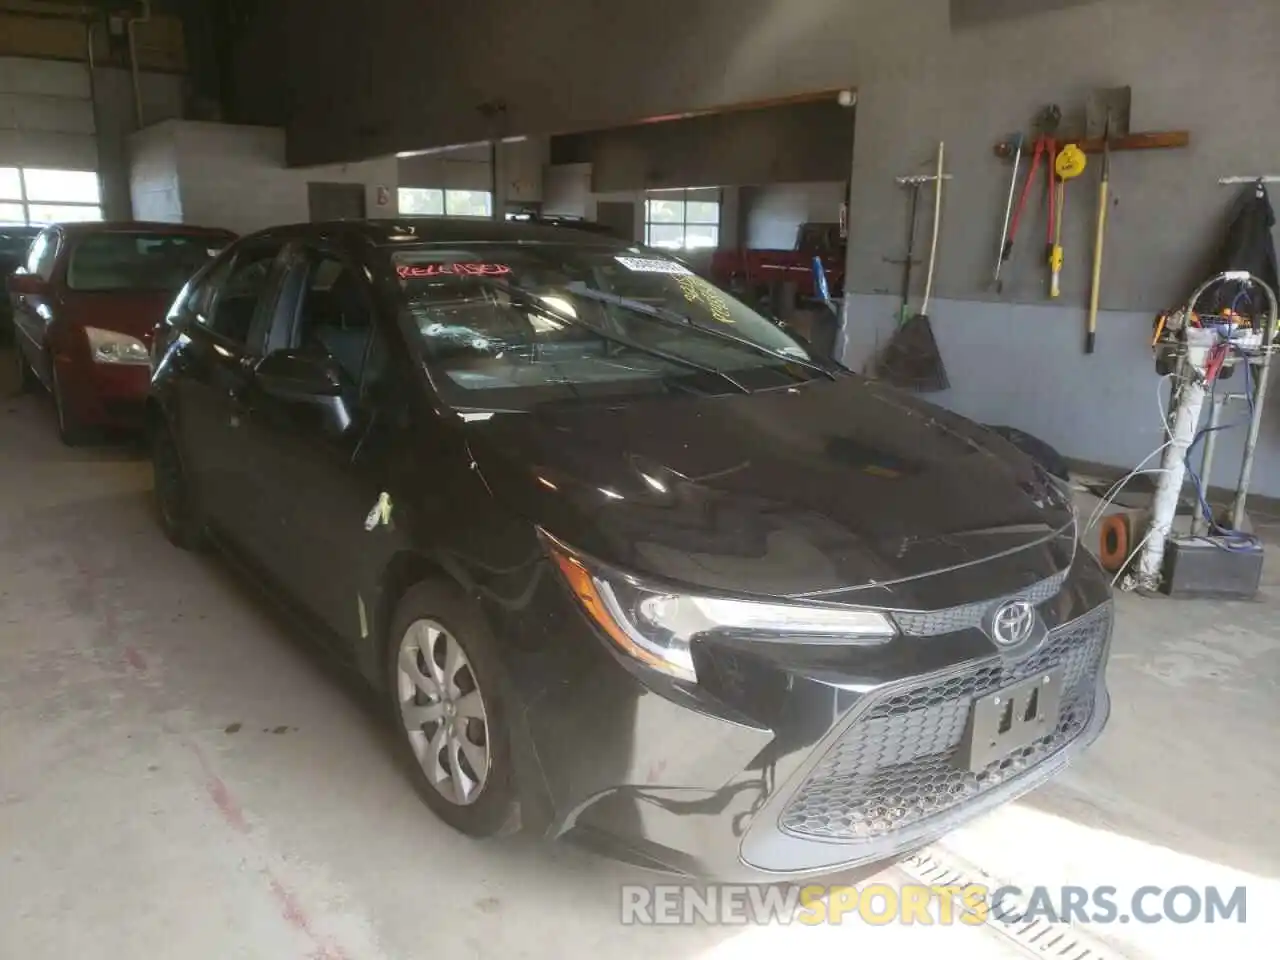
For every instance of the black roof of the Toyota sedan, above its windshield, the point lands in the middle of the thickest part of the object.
(441, 230)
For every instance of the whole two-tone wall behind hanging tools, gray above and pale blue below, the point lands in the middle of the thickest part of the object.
(1020, 359)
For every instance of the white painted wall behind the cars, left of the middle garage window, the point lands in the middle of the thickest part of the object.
(235, 176)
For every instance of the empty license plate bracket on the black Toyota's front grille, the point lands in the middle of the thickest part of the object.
(1011, 719)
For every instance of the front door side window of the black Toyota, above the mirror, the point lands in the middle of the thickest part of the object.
(336, 316)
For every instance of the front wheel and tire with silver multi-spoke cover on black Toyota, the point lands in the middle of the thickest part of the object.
(449, 698)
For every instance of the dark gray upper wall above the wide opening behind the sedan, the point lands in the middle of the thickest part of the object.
(392, 75)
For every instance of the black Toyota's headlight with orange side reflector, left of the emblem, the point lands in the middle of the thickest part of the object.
(659, 628)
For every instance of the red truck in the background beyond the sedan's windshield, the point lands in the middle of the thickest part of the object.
(758, 276)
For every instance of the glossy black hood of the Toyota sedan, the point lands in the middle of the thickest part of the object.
(822, 488)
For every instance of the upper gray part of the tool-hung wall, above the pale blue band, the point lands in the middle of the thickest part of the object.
(1168, 205)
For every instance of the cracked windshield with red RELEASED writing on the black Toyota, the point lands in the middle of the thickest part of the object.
(514, 324)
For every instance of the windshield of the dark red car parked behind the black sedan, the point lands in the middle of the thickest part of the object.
(139, 262)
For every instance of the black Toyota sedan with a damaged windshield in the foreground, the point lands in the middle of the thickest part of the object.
(628, 564)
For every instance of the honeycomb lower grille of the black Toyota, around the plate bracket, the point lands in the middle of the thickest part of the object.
(897, 765)
